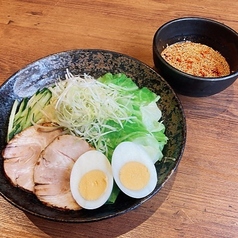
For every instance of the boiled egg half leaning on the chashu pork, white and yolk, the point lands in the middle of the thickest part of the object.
(91, 180)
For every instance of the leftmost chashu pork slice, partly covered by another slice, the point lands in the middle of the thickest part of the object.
(23, 151)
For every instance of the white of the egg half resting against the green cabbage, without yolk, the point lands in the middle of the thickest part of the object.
(131, 152)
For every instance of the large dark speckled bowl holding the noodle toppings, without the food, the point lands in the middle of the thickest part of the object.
(96, 63)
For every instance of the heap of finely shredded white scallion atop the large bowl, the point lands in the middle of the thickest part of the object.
(84, 105)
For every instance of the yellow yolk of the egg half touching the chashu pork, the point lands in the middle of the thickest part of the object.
(92, 185)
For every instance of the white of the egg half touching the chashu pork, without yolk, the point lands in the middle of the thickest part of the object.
(89, 161)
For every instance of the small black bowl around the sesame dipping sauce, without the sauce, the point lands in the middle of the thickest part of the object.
(200, 30)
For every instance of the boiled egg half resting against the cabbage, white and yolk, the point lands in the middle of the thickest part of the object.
(133, 170)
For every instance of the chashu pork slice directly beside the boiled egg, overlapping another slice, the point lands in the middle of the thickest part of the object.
(52, 171)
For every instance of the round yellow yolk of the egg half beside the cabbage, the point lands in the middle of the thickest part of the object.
(134, 175)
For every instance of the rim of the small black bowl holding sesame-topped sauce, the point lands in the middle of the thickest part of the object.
(155, 49)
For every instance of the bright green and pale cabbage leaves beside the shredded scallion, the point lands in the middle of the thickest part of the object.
(144, 126)
